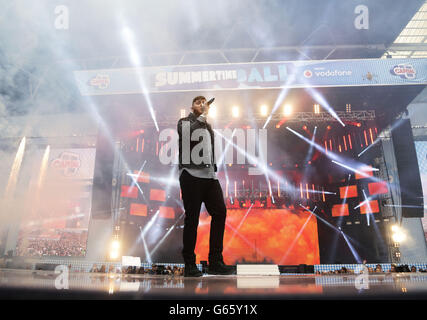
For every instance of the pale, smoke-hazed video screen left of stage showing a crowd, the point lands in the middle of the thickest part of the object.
(58, 203)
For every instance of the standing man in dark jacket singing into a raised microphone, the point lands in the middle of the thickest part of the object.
(199, 184)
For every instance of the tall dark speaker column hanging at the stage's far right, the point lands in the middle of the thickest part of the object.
(409, 174)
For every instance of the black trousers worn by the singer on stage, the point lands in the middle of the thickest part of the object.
(194, 192)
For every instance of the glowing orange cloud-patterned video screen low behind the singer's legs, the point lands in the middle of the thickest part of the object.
(280, 236)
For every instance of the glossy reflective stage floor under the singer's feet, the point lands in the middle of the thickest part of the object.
(30, 284)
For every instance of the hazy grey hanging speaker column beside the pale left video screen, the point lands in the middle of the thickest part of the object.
(103, 176)
